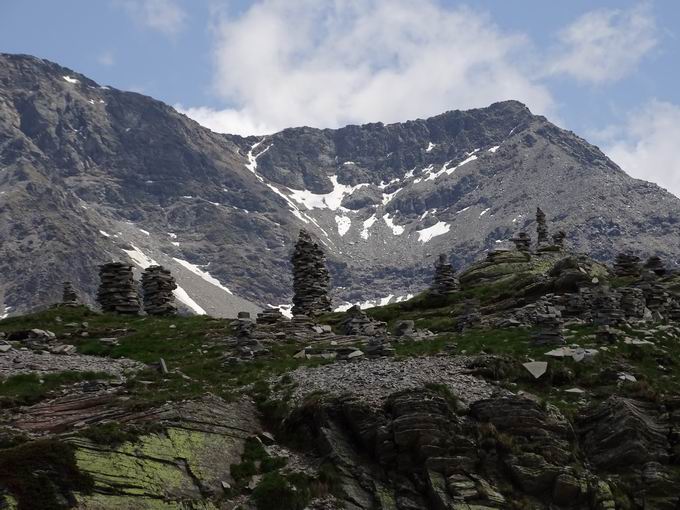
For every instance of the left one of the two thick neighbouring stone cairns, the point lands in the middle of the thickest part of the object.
(117, 289)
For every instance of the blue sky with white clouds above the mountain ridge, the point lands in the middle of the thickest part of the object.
(609, 70)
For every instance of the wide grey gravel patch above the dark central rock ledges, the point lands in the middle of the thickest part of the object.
(374, 380)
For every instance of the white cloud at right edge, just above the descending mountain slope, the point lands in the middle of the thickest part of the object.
(646, 146)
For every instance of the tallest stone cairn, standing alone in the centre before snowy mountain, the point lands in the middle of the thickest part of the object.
(311, 281)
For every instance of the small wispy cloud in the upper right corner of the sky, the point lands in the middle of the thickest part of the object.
(605, 45)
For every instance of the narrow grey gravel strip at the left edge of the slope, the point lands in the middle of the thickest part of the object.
(24, 362)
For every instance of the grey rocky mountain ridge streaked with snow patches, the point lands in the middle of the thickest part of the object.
(384, 200)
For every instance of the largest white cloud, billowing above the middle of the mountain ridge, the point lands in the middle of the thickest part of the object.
(330, 63)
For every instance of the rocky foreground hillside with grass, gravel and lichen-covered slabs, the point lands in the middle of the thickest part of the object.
(543, 380)
